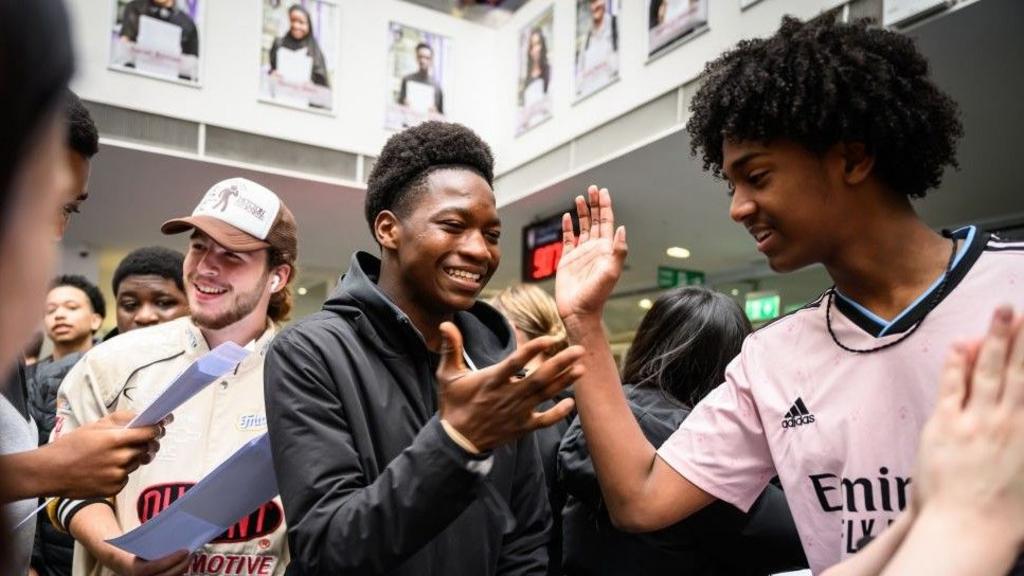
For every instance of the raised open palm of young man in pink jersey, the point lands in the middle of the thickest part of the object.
(591, 265)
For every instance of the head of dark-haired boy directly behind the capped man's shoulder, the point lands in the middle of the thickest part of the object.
(149, 290)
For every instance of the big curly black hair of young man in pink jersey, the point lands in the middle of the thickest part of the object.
(820, 84)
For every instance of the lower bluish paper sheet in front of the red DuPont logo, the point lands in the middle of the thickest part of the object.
(236, 488)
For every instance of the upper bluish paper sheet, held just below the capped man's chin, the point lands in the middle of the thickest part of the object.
(200, 375)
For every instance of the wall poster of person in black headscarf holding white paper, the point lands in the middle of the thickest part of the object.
(298, 52)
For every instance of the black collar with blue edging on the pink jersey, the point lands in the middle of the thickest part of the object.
(924, 305)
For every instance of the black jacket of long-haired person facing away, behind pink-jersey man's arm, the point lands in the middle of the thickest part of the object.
(718, 541)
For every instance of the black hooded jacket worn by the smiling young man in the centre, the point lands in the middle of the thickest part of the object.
(370, 481)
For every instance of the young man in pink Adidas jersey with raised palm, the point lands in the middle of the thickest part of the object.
(825, 133)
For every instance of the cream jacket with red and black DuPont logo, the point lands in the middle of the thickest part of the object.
(131, 372)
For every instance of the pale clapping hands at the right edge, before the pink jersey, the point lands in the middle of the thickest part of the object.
(971, 462)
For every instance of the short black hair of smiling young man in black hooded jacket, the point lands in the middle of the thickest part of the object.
(409, 157)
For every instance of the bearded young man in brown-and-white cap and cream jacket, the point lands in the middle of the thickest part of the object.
(237, 271)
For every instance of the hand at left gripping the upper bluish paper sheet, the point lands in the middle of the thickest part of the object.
(96, 460)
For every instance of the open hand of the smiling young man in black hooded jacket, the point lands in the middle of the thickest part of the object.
(493, 406)
